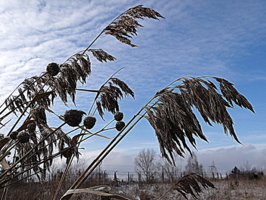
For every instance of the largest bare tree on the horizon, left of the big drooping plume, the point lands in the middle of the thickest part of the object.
(145, 164)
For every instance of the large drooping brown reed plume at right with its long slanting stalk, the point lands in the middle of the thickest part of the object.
(166, 101)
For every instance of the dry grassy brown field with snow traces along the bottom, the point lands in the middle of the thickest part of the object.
(225, 190)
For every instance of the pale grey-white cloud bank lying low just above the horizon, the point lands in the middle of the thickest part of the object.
(224, 159)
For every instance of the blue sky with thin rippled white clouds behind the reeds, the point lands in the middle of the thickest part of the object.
(225, 39)
